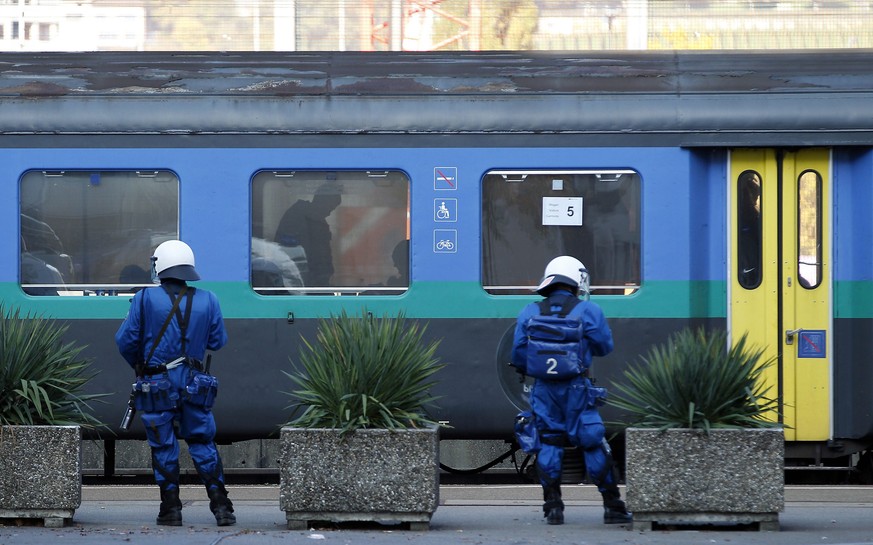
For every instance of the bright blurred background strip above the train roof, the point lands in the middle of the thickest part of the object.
(421, 25)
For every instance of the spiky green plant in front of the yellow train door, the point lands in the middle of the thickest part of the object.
(695, 380)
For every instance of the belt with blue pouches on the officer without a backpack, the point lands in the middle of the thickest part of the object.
(156, 393)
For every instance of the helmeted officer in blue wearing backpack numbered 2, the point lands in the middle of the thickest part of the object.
(563, 399)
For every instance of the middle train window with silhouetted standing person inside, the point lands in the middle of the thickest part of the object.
(330, 232)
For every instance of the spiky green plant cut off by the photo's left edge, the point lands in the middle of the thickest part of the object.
(41, 377)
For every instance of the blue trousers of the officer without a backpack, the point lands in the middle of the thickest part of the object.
(196, 426)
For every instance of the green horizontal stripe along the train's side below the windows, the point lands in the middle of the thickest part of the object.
(423, 300)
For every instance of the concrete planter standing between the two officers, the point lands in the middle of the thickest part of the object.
(371, 475)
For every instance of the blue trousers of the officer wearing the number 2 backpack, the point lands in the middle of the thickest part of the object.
(564, 409)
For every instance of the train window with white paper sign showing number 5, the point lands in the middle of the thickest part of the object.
(593, 215)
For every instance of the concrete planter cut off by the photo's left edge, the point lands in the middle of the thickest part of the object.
(40, 476)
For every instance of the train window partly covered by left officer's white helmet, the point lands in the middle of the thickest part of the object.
(92, 232)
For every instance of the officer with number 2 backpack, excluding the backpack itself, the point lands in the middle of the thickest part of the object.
(566, 409)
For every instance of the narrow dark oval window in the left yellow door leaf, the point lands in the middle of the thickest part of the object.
(749, 230)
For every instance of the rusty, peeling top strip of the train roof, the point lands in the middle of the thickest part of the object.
(495, 73)
